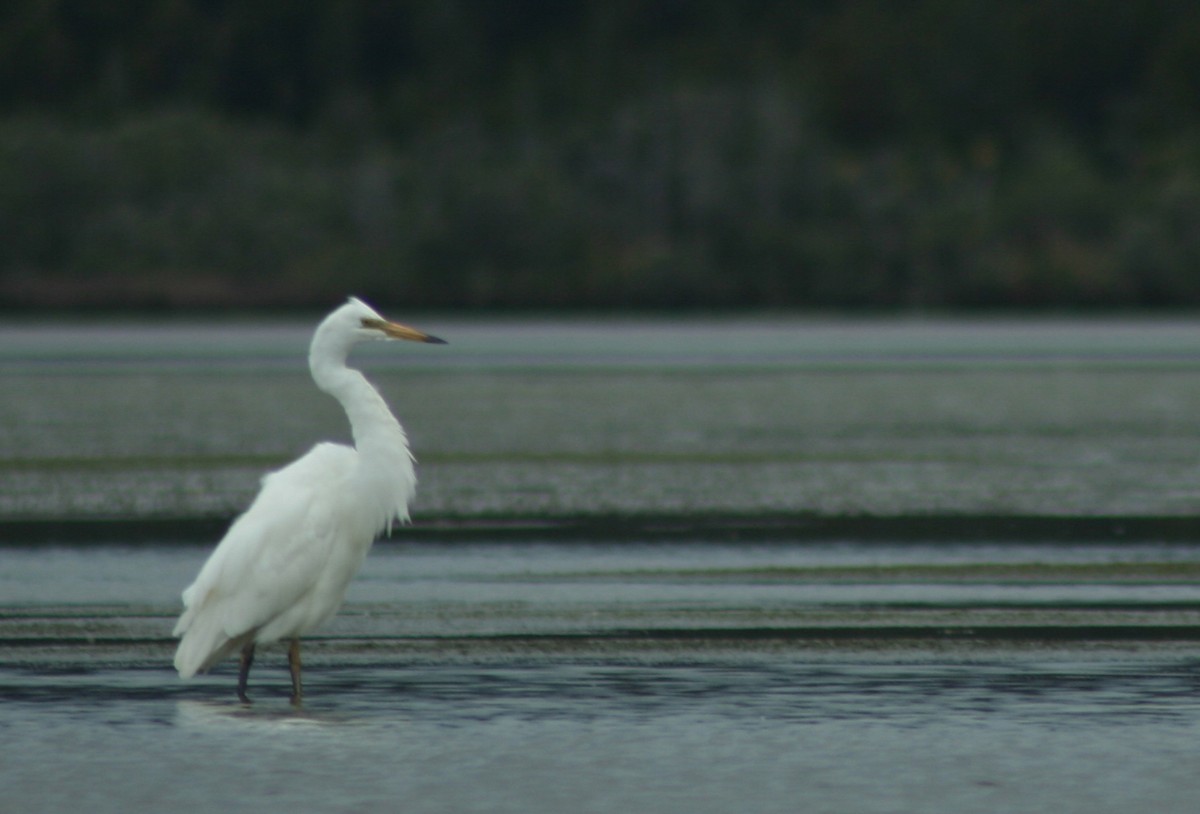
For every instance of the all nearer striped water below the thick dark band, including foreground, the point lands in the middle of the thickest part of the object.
(613, 678)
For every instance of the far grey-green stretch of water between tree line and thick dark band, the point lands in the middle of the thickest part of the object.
(549, 418)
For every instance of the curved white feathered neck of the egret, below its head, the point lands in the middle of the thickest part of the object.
(386, 480)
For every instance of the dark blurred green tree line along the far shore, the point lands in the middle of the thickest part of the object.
(601, 153)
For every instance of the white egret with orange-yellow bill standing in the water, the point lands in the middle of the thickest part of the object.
(283, 568)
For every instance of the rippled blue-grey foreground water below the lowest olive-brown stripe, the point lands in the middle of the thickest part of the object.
(1006, 733)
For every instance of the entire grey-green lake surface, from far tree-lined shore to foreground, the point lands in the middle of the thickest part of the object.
(683, 663)
